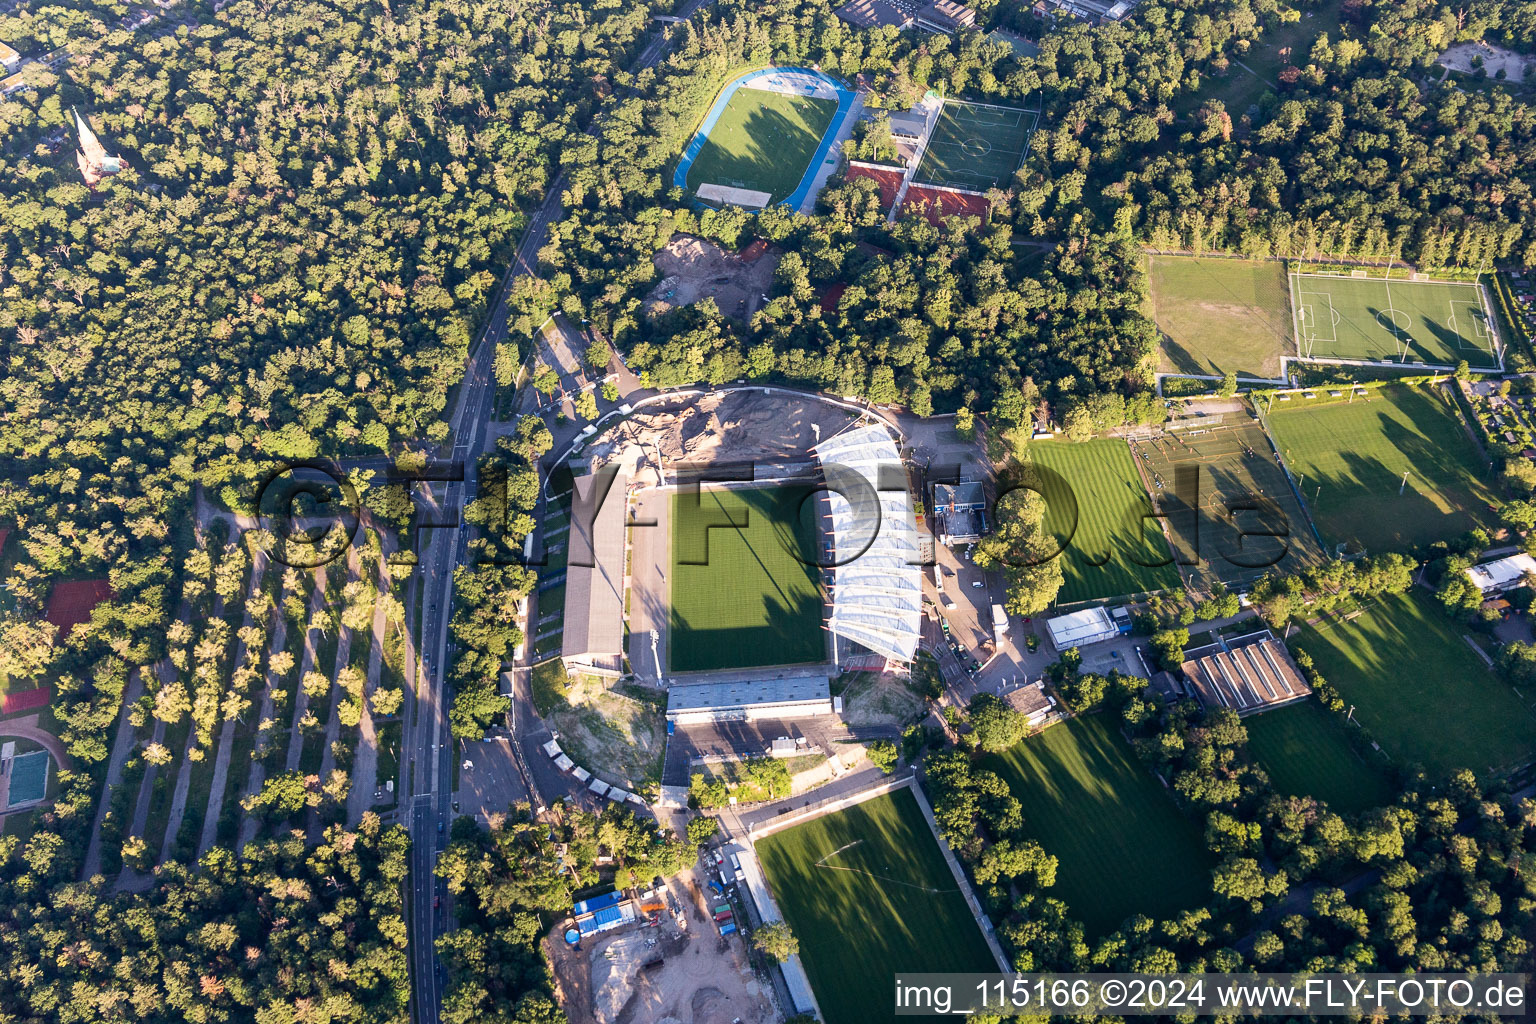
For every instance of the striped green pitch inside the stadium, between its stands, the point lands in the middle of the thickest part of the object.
(744, 596)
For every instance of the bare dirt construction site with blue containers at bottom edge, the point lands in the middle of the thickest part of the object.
(700, 977)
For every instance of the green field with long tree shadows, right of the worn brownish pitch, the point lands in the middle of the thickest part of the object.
(1349, 458)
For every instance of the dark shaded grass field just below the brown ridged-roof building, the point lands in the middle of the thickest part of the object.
(1306, 753)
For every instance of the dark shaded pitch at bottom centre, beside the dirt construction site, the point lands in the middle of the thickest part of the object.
(882, 902)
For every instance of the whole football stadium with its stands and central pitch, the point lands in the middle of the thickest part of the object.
(746, 598)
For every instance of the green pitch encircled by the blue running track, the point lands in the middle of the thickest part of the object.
(763, 142)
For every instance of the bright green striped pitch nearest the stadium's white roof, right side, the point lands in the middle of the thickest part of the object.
(1097, 512)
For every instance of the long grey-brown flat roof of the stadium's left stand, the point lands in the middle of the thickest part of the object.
(594, 635)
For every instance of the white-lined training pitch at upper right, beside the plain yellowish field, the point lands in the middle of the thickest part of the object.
(1377, 320)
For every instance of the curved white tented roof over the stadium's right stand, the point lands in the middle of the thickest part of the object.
(878, 586)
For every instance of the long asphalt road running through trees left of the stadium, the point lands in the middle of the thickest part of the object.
(429, 771)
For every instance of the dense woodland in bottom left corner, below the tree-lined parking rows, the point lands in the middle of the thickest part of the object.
(276, 936)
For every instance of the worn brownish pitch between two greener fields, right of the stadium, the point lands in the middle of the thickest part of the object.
(1237, 517)
